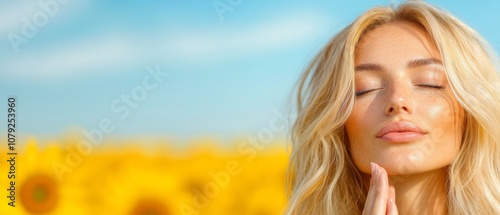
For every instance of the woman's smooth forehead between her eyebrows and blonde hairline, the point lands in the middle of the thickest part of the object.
(395, 42)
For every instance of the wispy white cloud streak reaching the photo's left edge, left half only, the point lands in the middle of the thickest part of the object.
(72, 60)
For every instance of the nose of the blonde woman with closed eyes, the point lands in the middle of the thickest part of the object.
(399, 100)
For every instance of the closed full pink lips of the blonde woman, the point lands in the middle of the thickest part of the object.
(400, 132)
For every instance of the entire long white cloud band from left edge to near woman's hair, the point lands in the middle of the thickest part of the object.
(117, 50)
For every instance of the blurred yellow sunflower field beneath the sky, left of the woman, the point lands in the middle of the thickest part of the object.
(133, 177)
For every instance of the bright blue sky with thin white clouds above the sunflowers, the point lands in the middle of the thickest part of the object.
(227, 71)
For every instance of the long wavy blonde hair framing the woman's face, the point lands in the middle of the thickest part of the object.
(322, 177)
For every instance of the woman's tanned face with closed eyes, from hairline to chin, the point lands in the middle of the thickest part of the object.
(405, 117)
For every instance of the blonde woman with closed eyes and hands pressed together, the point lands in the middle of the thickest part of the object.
(399, 113)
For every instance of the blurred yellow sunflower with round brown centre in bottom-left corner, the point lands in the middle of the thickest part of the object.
(39, 191)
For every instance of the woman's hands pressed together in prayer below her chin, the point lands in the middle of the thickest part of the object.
(381, 198)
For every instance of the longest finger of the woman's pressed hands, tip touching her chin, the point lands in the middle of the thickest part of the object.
(381, 192)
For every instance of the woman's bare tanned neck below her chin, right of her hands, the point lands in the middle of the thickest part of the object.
(423, 193)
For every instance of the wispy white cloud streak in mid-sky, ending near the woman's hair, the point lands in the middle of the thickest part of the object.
(278, 34)
